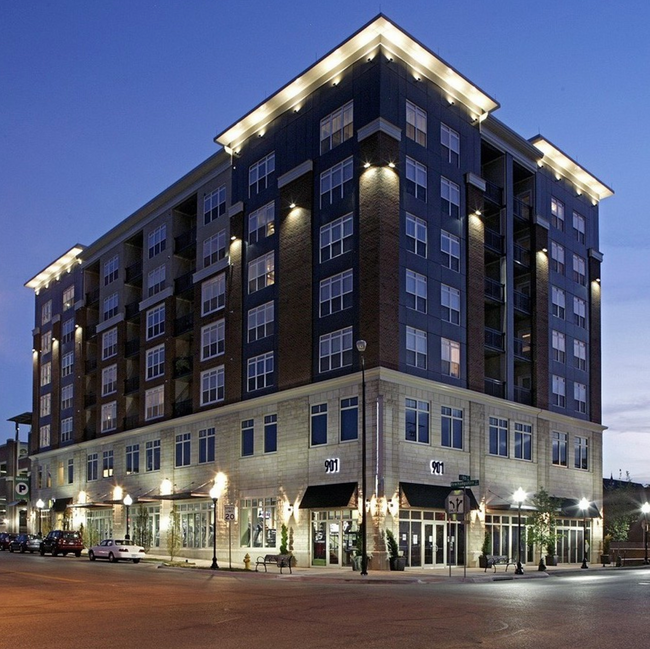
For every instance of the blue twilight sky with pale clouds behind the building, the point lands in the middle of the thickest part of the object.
(105, 104)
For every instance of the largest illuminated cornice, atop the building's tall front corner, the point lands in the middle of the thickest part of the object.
(378, 35)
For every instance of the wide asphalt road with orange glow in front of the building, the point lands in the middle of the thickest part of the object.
(74, 603)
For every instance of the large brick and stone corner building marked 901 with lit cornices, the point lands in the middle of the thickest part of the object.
(373, 197)
